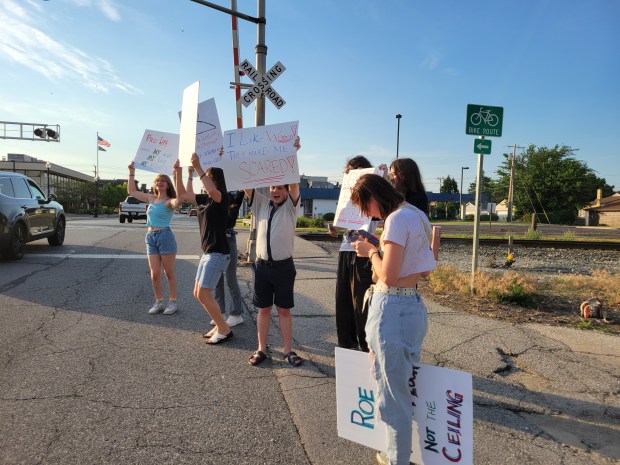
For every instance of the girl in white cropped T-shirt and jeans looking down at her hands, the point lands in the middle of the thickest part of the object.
(397, 319)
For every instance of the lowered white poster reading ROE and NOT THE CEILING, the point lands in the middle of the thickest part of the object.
(443, 423)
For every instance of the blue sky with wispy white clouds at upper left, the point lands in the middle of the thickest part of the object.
(119, 68)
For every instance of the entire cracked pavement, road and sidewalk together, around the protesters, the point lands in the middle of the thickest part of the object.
(86, 376)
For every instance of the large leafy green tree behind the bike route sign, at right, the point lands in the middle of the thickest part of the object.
(550, 182)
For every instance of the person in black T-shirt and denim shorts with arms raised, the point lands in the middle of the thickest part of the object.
(212, 214)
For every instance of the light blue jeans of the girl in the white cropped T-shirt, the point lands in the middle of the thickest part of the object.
(395, 330)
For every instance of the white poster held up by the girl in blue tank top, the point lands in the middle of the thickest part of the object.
(157, 152)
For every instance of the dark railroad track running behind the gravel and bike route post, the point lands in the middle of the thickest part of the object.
(541, 244)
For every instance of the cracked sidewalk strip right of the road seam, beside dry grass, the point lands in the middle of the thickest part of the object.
(541, 394)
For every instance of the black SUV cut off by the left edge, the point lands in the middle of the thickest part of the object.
(27, 215)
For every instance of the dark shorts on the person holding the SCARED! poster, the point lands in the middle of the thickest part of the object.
(274, 282)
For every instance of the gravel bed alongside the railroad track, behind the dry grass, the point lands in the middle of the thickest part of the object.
(547, 261)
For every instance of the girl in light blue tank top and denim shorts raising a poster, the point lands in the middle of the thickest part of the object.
(161, 246)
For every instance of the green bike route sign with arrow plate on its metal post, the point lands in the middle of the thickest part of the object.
(482, 121)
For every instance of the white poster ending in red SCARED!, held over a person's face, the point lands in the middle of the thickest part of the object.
(260, 157)
